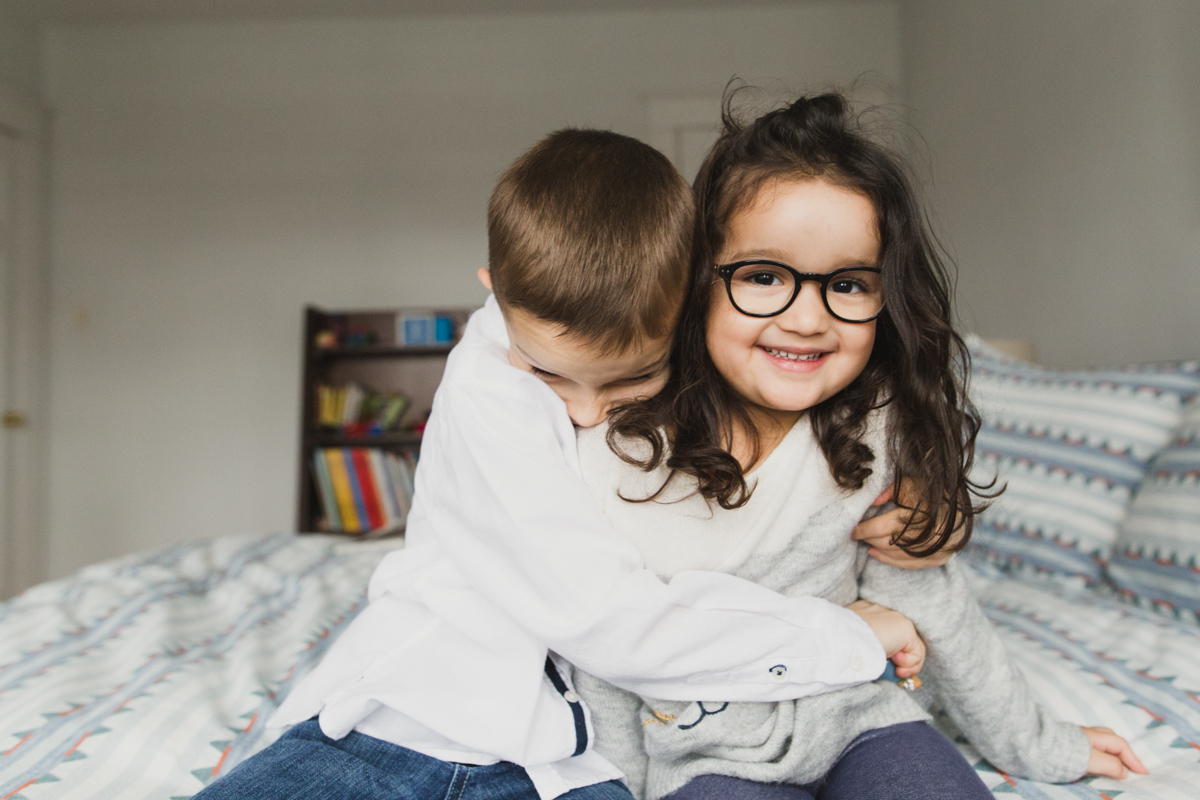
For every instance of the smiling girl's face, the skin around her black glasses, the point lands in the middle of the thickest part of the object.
(793, 362)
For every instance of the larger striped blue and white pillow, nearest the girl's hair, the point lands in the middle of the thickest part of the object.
(1071, 447)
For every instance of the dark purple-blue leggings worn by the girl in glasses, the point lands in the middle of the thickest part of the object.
(902, 762)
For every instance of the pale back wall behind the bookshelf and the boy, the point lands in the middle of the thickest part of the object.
(209, 181)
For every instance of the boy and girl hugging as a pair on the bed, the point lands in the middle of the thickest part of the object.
(694, 476)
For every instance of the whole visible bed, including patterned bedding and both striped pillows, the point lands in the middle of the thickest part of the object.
(151, 676)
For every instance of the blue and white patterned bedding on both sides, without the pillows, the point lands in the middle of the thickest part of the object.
(151, 676)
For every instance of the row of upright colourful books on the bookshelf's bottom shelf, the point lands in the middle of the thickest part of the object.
(364, 490)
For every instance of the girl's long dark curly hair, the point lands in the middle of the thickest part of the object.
(917, 369)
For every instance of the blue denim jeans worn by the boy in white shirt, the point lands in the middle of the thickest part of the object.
(307, 763)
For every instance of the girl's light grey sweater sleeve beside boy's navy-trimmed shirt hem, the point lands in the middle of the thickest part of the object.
(616, 727)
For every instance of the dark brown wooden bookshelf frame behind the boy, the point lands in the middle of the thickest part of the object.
(374, 358)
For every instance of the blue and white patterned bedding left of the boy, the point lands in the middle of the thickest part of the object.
(151, 676)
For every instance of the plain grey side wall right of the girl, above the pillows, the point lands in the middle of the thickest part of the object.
(1065, 141)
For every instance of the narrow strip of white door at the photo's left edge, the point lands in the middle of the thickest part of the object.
(8, 206)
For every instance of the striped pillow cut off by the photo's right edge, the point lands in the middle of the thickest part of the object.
(1157, 558)
